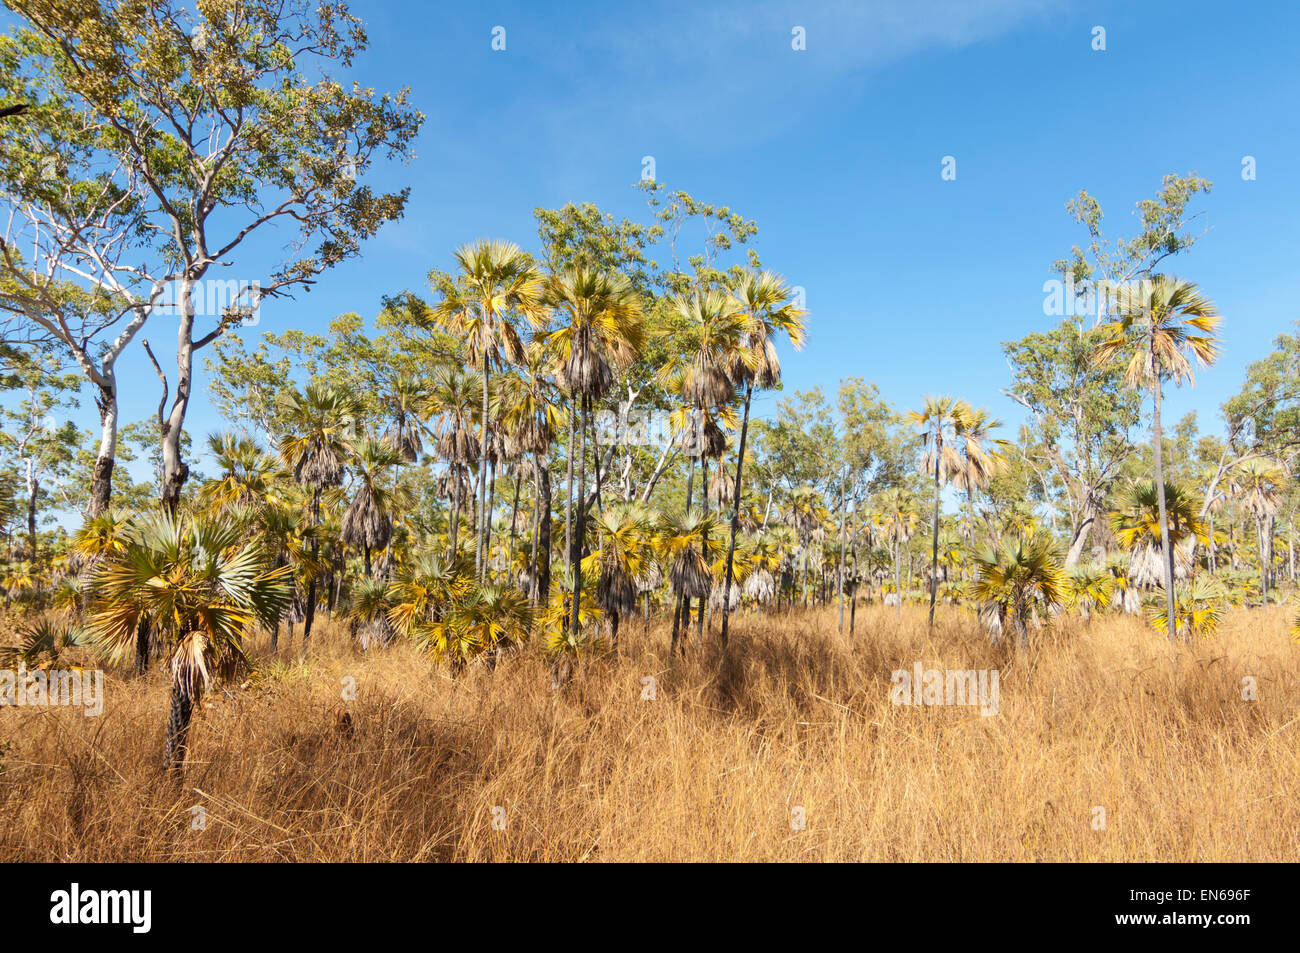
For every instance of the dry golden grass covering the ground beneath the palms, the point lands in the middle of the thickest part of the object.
(1091, 716)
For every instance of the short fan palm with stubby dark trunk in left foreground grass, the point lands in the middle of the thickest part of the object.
(200, 584)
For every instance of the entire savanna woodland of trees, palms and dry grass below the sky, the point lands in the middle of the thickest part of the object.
(518, 543)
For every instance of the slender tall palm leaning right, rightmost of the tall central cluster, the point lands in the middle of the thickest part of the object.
(768, 310)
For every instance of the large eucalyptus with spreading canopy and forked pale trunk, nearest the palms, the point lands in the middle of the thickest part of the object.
(179, 135)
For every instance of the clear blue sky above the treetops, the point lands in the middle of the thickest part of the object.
(835, 150)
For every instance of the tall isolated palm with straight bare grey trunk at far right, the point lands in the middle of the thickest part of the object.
(1164, 326)
